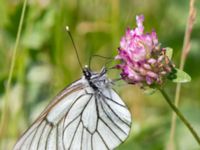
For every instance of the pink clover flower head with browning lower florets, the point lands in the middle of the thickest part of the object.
(142, 59)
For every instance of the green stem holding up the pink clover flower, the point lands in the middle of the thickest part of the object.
(180, 115)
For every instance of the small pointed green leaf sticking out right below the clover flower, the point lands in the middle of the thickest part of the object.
(179, 76)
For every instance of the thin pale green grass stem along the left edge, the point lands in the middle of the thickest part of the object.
(5, 109)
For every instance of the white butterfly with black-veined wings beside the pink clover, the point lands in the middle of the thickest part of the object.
(87, 115)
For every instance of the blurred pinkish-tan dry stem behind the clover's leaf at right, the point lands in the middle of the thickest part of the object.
(185, 51)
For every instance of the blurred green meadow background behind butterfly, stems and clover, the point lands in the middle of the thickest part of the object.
(46, 61)
